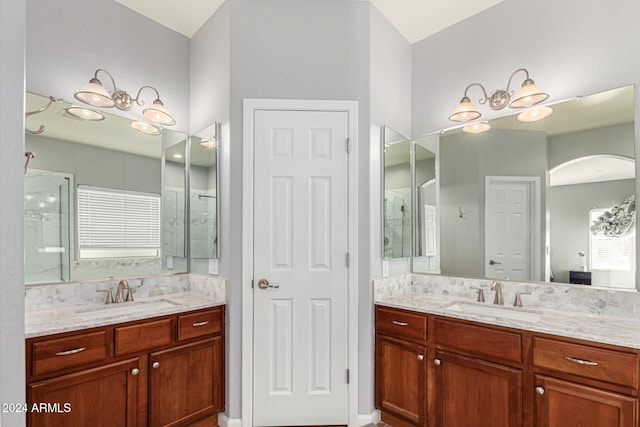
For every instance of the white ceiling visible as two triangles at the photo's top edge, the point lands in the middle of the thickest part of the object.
(414, 19)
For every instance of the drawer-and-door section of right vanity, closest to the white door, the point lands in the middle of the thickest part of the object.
(401, 367)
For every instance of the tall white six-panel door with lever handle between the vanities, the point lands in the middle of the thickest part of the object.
(300, 342)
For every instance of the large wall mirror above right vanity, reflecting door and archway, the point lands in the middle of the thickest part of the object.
(519, 200)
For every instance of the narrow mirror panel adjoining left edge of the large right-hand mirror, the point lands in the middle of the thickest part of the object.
(426, 213)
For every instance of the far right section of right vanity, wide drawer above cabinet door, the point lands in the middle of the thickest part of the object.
(582, 384)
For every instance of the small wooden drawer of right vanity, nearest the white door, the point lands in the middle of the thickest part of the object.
(401, 324)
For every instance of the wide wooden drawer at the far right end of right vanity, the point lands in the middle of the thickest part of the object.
(592, 362)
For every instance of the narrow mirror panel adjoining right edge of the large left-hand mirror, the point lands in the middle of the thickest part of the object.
(175, 257)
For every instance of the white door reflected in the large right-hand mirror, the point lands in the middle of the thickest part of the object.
(510, 228)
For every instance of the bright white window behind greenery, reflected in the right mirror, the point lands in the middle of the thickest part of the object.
(610, 253)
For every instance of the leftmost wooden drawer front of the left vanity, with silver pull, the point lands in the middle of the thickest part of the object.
(59, 353)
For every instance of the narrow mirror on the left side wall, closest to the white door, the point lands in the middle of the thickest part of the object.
(203, 180)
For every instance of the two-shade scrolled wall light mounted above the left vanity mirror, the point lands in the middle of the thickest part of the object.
(94, 93)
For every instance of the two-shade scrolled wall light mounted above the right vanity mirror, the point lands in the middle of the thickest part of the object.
(528, 95)
